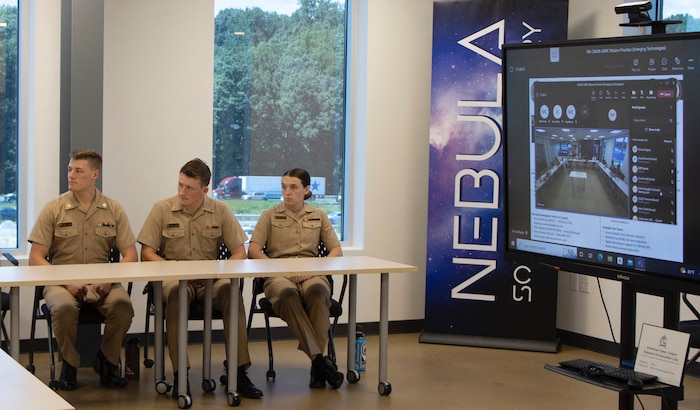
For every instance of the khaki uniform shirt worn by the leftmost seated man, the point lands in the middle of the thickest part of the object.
(76, 236)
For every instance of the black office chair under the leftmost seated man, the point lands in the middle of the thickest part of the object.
(88, 316)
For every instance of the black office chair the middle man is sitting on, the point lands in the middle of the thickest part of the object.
(196, 313)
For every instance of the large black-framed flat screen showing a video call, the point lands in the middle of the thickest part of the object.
(602, 148)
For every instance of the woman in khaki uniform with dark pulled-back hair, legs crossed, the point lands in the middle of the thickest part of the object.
(294, 229)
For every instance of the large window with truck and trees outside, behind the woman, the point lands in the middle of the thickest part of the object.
(279, 102)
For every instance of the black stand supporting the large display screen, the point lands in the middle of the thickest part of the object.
(628, 317)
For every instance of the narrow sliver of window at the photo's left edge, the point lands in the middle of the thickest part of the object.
(9, 32)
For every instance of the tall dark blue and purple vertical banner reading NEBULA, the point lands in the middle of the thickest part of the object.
(473, 296)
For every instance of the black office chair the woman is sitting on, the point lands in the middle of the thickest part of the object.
(264, 306)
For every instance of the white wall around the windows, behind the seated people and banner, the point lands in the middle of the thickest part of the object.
(157, 115)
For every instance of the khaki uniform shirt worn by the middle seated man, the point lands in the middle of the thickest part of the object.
(179, 235)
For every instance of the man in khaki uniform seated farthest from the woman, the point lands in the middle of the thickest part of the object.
(81, 226)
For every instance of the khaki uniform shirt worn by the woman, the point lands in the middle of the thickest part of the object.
(285, 234)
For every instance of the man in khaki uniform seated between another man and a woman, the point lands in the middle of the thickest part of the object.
(192, 226)
